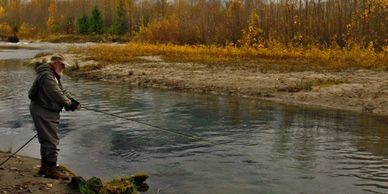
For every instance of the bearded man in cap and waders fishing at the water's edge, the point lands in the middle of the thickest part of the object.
(48, 98)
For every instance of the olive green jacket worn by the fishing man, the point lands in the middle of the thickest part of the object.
(47, 90)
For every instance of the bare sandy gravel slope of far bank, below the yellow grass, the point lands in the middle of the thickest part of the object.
(361, 90)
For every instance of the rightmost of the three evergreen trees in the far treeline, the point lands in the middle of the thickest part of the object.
(120, 25)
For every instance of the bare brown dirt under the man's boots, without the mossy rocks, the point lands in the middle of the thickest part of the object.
(19, 175)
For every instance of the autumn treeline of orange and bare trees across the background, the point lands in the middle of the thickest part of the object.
(257, 23)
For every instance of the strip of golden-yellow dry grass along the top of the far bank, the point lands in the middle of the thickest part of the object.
(275, 58)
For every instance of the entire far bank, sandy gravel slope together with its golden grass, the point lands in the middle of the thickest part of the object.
(348, 82)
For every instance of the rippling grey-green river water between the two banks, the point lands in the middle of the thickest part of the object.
(240, 145)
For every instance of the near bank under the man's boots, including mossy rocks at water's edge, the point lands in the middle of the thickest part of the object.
(20, 175)
